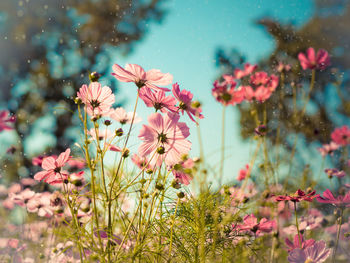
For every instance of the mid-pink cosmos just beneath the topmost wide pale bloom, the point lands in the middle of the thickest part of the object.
(158, 100)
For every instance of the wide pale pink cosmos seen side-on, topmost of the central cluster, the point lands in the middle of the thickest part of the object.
(135, 73)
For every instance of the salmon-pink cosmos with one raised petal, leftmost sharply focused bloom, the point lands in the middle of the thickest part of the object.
(53, 173)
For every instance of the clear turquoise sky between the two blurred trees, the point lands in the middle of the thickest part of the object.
(185, 44)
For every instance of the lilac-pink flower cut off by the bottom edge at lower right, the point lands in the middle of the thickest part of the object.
(316, 253)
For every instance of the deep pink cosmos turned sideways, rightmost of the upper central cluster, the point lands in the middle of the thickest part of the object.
(185, 102)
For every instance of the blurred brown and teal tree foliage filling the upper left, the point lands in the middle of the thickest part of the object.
(48, 48)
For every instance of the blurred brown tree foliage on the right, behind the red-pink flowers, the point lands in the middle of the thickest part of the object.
(329, 104)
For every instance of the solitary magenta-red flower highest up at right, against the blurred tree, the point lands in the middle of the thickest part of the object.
(310, 61)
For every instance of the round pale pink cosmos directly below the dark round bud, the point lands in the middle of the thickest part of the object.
(98, 99)
